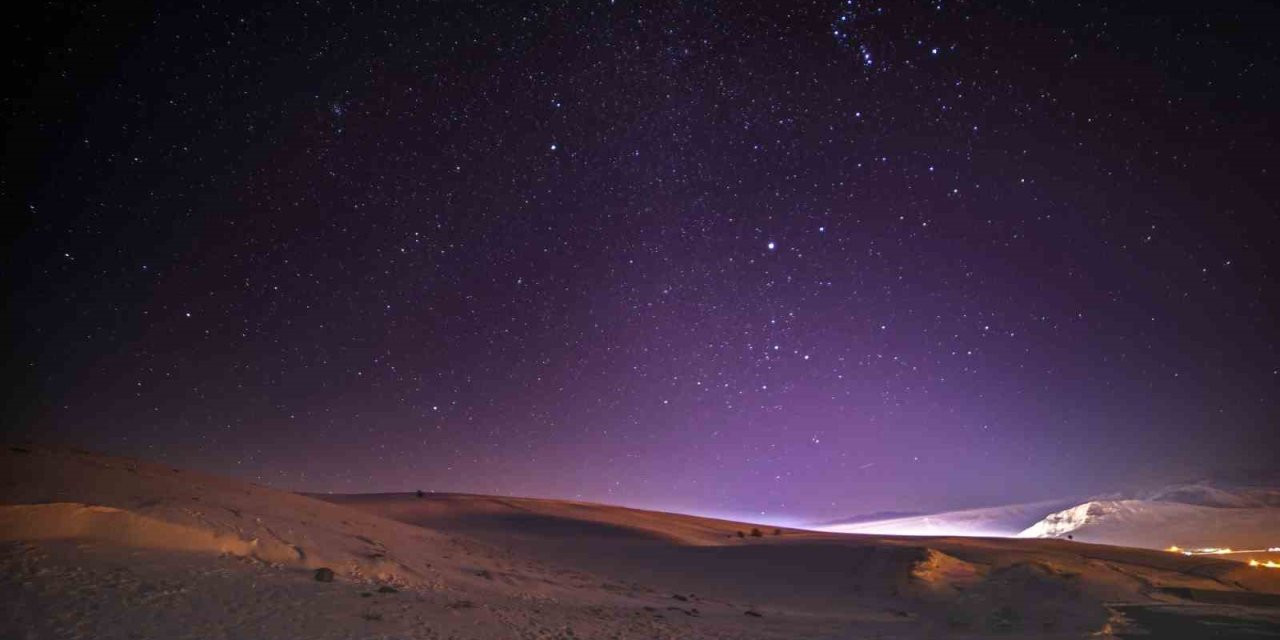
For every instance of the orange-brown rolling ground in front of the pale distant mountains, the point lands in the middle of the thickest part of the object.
(104, 547)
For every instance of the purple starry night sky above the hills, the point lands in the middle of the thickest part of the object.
(783, 260)
